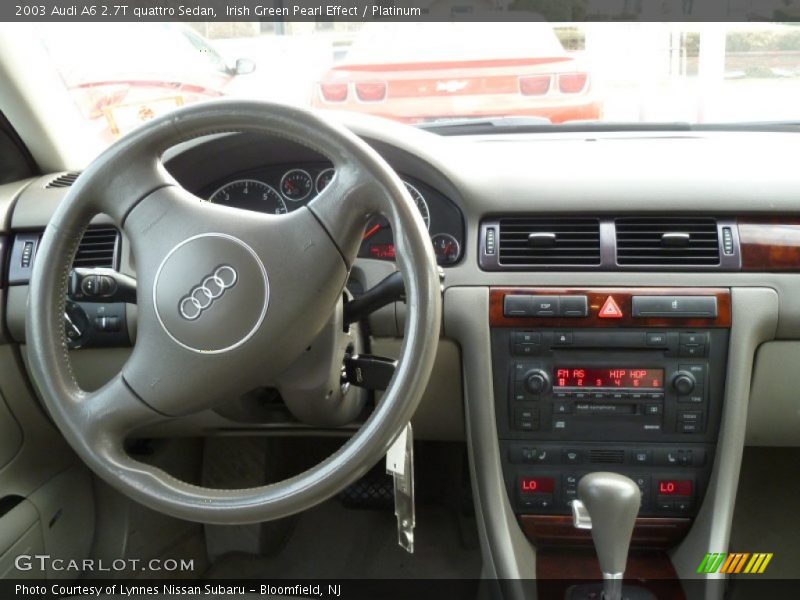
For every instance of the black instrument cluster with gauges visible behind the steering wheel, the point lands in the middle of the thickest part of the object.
(283, 188)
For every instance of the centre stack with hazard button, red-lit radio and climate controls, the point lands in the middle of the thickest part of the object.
(609, 379)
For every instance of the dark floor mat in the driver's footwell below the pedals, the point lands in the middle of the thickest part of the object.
(331, 541)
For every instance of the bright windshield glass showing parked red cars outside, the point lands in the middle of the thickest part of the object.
(120, 75)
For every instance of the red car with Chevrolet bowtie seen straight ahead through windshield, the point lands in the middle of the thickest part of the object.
(443, 71)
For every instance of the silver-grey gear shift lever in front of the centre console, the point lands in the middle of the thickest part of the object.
(608, 504)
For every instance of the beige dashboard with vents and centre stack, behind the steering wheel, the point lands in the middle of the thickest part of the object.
(552, 368)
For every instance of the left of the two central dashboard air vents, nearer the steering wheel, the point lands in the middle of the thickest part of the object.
(549, 242)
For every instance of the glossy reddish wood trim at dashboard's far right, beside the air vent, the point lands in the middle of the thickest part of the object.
(770, 244)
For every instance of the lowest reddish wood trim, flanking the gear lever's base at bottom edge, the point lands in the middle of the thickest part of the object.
(558, 569)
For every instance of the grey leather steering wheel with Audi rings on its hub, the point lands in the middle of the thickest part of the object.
(226, 300)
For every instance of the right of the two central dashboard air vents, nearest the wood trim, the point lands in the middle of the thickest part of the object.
(674, 242)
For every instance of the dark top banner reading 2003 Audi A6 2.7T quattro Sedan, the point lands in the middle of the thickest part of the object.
(394, 10)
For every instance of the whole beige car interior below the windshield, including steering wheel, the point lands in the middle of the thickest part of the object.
(278, 342)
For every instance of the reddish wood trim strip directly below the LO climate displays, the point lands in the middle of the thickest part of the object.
(558, 530)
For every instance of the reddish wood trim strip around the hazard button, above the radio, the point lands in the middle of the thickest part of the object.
(597, 297)
